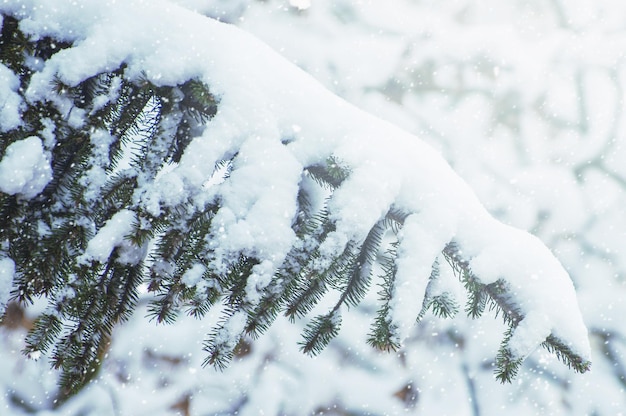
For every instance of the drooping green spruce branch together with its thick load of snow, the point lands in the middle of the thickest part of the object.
(257, 187)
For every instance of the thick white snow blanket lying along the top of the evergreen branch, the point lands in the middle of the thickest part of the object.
(261, 98)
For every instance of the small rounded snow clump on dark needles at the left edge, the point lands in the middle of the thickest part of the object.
(25, 169)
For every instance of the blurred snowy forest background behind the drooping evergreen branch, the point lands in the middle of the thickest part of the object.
(525, 100)
